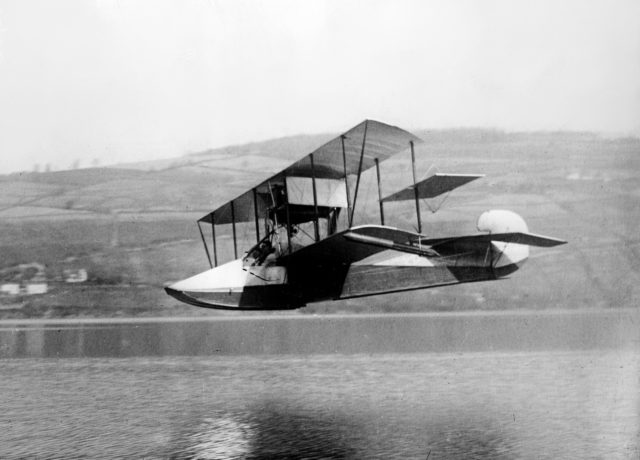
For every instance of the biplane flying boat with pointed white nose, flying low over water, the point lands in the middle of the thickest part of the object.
(307, 248)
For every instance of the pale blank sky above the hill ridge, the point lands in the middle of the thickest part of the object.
(118, 81)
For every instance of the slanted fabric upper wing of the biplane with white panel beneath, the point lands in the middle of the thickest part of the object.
(377, 140)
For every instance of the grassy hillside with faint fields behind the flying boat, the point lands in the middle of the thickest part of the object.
(133, 227)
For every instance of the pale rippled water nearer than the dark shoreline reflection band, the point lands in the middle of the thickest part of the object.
(577, 402)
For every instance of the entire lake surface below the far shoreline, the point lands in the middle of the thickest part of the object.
(550, 384)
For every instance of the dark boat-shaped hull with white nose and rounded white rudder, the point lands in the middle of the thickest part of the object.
(321, 273)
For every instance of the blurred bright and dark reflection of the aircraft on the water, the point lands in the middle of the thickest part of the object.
(274, 429)
